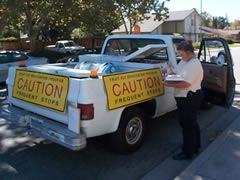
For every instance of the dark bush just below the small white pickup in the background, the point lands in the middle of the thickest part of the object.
(52, 56)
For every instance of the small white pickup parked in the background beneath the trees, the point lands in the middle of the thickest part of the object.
(65, 46)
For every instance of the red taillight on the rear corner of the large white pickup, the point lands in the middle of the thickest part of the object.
(86, 111)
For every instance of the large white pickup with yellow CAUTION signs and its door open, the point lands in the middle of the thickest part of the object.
(112, 93)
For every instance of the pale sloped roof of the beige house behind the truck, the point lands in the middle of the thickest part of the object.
(149, 25)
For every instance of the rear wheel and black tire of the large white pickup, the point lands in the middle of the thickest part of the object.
(129, 135)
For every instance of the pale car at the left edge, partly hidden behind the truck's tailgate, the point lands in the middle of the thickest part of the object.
(12, 58)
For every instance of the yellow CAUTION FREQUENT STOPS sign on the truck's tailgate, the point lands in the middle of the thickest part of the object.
(43, 89)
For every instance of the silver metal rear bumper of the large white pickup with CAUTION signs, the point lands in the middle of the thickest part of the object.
(44, 127)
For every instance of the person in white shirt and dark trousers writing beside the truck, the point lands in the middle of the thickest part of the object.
(188, 96)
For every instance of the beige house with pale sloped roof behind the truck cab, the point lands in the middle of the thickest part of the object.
(185, 22)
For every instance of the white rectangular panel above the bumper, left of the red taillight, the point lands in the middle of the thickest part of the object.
(74, 119)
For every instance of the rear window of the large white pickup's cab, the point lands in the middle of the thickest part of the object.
(124, 47)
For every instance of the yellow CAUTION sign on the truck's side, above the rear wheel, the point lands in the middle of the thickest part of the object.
(132, 87)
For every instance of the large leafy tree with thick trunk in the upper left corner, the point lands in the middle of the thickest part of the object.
(37, 14)
